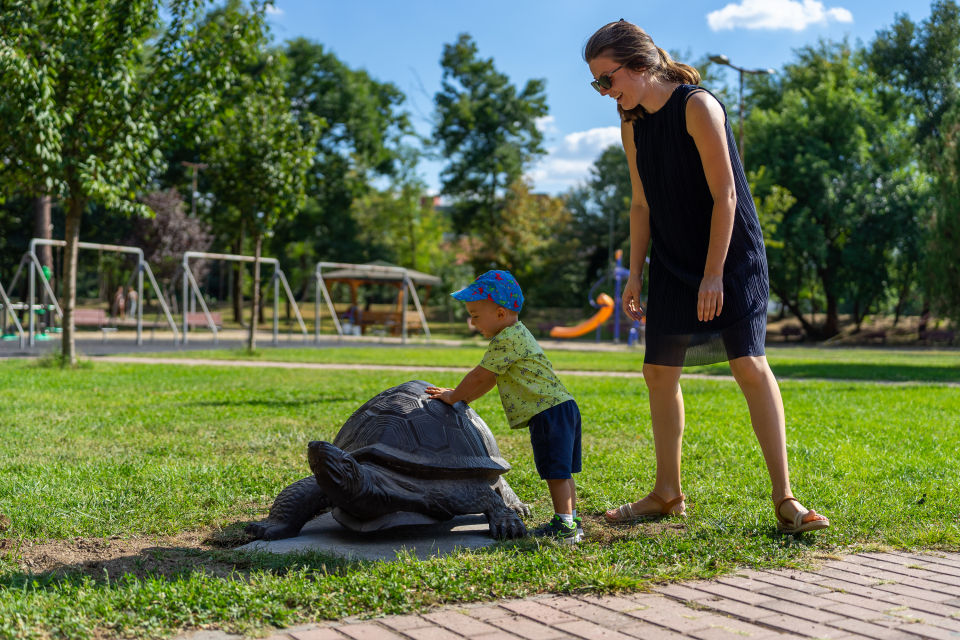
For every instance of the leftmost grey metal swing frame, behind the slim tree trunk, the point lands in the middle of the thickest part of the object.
(34, 268)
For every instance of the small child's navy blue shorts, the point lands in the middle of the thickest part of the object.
(555, 436)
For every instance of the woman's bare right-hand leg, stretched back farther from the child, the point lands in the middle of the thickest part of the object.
(760, 388)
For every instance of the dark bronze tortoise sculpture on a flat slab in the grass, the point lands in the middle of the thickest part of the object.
(401, 459)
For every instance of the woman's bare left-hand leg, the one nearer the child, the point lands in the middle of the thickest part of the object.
(666, 413)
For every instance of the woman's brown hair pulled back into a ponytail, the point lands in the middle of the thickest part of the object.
(628, 44)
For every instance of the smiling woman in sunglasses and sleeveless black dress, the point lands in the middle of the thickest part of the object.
(708, 271)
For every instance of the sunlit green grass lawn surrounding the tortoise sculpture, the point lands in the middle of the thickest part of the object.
(133, 451)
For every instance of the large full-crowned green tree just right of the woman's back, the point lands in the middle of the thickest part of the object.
(821, 132)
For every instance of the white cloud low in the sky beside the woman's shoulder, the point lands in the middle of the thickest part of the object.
(569, 162)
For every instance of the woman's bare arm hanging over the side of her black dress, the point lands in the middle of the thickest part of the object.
(706, 125)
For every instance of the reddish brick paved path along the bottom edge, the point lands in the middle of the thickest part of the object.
(886, 596)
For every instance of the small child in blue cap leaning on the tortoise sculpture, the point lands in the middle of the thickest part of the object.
(530, 391)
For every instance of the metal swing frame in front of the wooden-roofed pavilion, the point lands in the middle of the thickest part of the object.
(355, 274)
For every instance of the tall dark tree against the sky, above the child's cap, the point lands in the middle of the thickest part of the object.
(486, 130)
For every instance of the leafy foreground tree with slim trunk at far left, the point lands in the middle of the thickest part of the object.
(93, 86)
